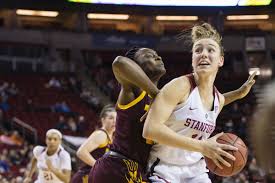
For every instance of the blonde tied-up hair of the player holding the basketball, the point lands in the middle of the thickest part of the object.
(205, 30)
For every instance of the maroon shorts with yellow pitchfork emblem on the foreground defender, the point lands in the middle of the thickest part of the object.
(111, 169)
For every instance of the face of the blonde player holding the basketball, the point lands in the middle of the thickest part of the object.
(206, 56)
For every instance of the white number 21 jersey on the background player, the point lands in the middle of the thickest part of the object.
(60, 160)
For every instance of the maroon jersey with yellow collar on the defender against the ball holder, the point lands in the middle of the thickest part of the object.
(128, 139)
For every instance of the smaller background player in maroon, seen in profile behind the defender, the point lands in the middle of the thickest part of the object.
(96, 145)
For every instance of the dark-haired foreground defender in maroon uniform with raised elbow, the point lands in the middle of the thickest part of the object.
(127, 158)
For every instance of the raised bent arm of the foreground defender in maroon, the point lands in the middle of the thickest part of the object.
(128, 73)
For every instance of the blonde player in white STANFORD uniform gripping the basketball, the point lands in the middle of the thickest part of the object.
(183, 116)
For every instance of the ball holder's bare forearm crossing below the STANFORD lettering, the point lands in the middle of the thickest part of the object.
(164, 135)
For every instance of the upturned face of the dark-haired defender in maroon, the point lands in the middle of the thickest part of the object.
(150, 62)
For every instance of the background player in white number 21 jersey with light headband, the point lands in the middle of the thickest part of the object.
(53, 162)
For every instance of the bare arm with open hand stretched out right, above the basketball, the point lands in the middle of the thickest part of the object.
(240, 92)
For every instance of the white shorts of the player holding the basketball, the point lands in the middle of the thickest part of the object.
(168, 173)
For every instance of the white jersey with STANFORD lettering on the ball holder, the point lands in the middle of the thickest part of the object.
(192, 120)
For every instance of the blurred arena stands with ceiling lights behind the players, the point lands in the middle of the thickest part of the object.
(55, 65)
